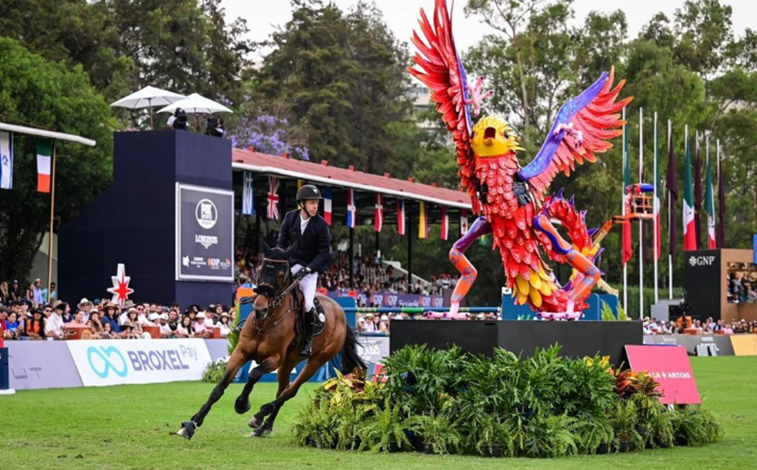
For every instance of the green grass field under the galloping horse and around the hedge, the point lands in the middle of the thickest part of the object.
(128, 427)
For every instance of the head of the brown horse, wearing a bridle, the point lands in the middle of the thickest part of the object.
(273, 277)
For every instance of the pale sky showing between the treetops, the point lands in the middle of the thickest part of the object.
(401, 15)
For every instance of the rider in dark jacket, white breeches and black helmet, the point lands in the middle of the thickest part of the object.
(313, 252)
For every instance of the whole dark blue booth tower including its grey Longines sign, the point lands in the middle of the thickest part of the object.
(169, 217)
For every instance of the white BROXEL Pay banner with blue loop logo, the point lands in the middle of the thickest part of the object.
(116, 362)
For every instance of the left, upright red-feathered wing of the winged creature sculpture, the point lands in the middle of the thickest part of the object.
(440, 68)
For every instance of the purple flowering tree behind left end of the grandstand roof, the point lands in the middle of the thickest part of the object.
(266, 133)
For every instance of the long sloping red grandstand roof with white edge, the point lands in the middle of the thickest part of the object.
(347, 178)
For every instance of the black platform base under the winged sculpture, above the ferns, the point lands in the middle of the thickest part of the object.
(578, 339)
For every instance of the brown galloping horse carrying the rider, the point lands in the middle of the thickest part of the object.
(269, 338)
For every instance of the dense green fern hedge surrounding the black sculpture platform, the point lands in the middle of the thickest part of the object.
(448, 402)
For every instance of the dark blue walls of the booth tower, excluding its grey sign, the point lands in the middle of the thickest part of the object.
(133, 221)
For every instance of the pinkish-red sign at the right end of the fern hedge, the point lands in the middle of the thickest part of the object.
(670, 366)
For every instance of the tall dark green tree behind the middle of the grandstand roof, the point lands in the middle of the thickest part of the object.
(342, 78)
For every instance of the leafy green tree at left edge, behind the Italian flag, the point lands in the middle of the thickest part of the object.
(33, 89)
